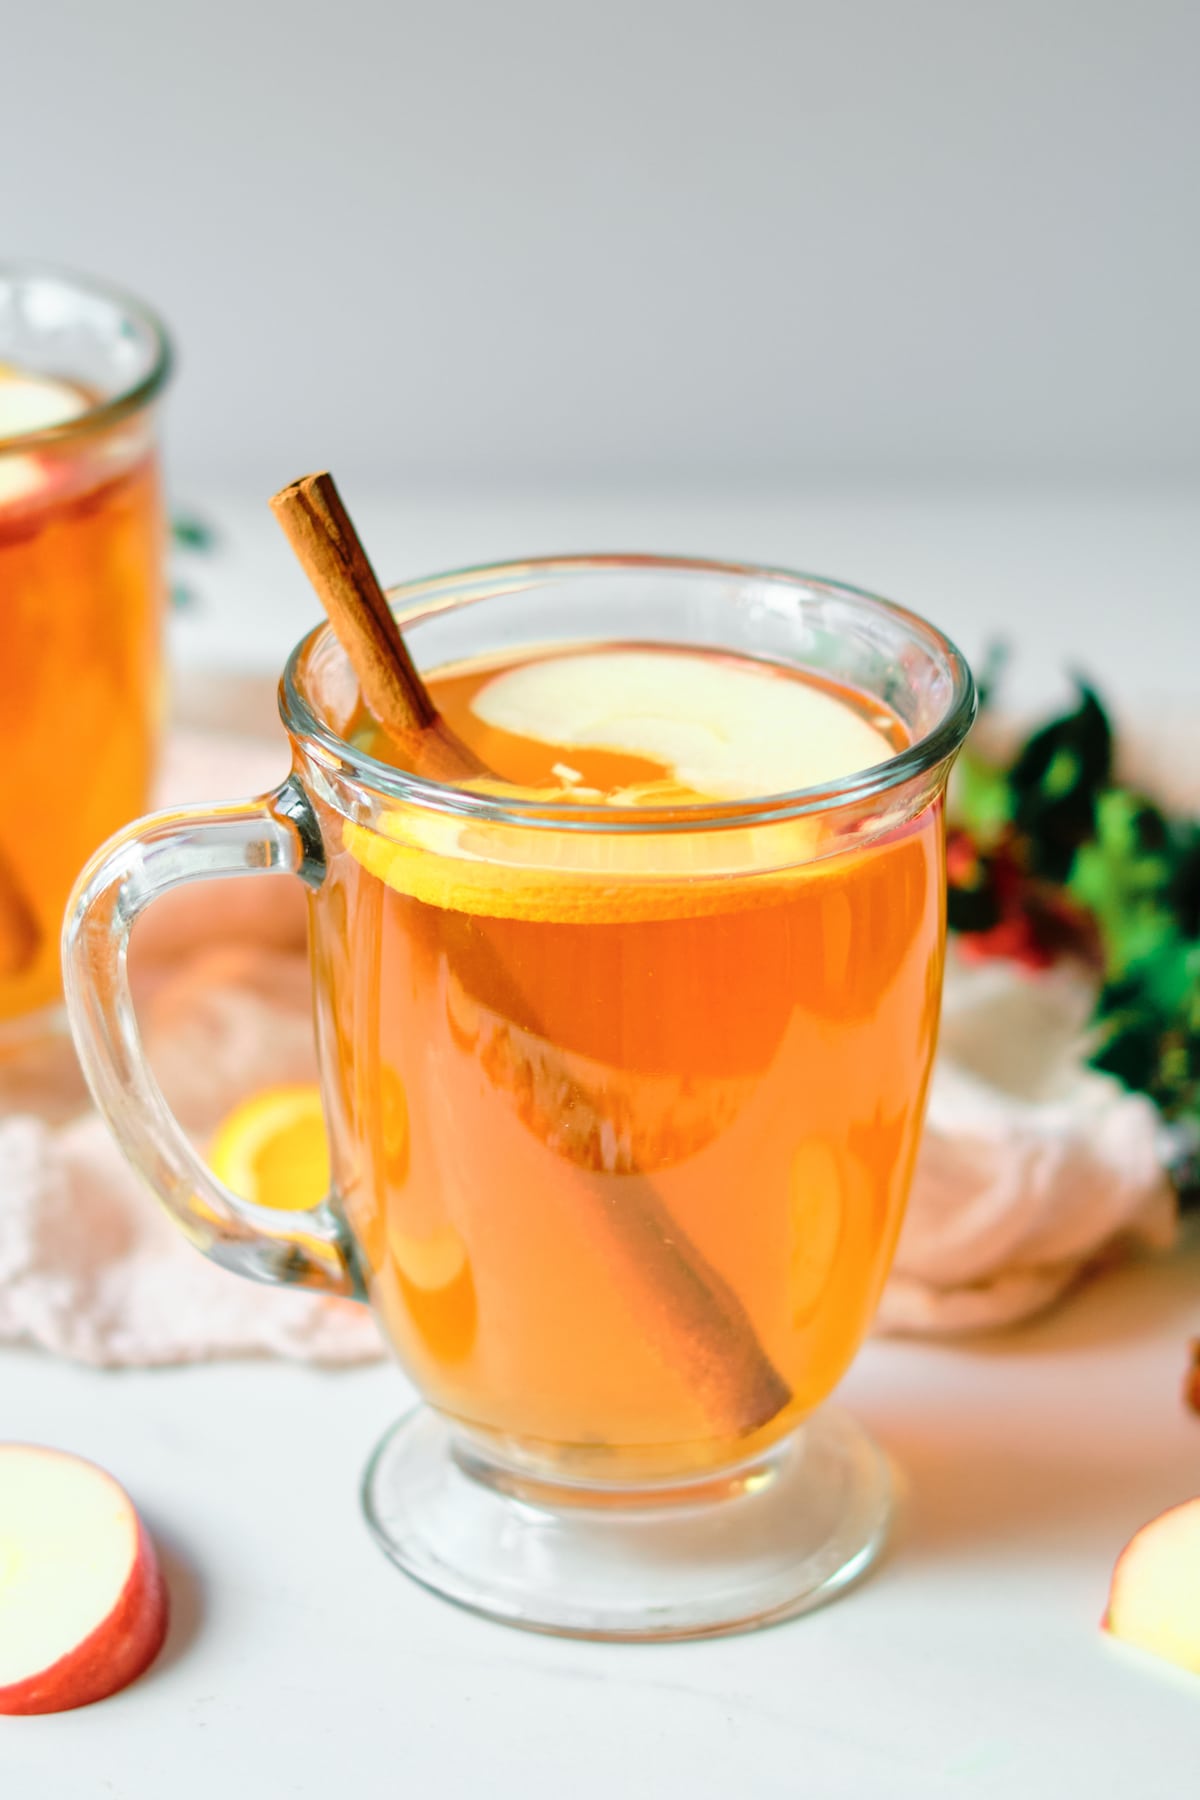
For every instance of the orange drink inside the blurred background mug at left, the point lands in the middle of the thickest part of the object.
(80, 625)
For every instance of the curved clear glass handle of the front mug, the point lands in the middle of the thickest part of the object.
(276, 832)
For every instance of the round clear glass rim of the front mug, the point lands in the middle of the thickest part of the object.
(429, 597)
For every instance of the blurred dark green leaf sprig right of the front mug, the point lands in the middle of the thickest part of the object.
(1050, 858)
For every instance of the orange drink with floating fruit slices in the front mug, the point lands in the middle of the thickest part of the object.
(625, 1124)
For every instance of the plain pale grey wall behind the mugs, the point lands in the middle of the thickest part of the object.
(670, 240)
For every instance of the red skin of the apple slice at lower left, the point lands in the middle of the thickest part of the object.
(109, 1659)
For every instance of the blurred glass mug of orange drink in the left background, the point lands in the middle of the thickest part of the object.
(82, 586)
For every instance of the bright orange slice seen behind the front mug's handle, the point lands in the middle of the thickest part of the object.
(273, 1149)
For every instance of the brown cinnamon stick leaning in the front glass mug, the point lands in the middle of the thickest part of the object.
(685, 1304)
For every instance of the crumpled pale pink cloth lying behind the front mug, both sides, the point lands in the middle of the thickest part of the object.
(1034, 1169)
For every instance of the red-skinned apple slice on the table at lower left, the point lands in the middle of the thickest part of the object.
(84, 1608)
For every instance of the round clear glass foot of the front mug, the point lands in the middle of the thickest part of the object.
(778, 1538)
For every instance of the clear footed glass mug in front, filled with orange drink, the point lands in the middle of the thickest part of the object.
(622, 1106)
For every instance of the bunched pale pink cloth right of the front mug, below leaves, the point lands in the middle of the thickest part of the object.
(1034, 1165)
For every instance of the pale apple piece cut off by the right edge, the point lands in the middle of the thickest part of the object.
(1156, 1588)
